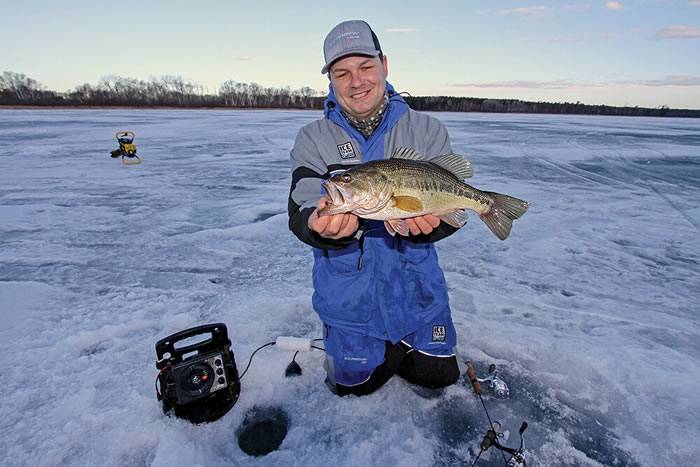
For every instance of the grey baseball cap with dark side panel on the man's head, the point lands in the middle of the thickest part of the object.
(349, 38)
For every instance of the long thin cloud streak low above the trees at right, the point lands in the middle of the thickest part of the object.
(674, 80)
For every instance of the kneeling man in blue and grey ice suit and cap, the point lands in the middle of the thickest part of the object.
(382, 299)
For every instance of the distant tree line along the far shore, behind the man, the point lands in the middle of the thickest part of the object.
(174, 91)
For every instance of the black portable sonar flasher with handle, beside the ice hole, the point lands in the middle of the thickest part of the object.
(198, 381)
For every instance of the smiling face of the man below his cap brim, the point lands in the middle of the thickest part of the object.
(359, 83)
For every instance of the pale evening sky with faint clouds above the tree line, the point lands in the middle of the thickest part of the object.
(644, 52)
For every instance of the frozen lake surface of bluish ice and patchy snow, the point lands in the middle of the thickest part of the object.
(590, 309)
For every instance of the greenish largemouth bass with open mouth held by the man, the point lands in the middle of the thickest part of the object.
(410, 185)
